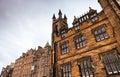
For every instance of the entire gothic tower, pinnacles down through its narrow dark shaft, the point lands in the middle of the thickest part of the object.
(59, 28)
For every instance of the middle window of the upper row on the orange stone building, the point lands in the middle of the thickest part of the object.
(80, 41)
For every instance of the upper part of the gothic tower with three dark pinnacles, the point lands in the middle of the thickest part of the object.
(59, 25)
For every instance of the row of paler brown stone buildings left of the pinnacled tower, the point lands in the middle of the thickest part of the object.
(34, 63)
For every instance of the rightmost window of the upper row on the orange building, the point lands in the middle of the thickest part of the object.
(100, 33)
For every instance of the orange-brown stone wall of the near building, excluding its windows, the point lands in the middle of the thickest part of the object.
(92, 48)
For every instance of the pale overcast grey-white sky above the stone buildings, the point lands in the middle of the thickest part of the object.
(26, 24)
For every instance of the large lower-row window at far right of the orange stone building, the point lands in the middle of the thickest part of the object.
(111, 62)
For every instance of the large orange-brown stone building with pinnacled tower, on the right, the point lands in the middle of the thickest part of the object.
(91, 47)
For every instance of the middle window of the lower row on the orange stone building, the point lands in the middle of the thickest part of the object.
(85, 64)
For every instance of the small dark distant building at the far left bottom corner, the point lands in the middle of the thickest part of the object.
(7, 72)
